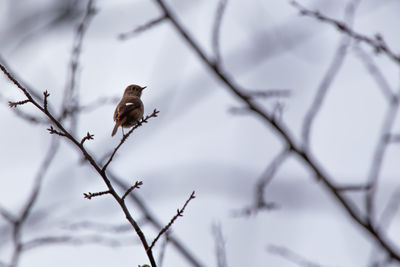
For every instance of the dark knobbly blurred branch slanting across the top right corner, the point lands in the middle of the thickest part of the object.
(377, 42)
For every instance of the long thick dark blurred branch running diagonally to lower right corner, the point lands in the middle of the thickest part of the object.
(285, 135)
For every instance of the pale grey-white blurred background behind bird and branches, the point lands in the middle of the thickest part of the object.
(197, 142)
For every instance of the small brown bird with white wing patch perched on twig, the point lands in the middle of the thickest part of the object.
(130, 109)
